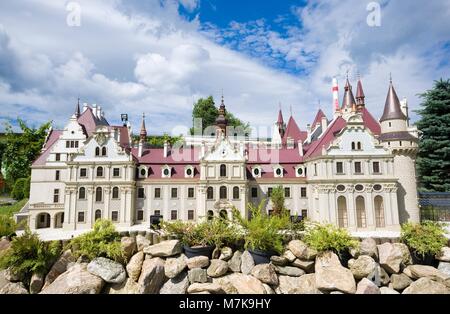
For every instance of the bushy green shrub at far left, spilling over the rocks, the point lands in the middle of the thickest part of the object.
(29, 255)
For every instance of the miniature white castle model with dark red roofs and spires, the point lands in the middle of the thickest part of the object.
(352, 171)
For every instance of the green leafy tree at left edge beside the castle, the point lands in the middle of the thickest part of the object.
(21, 150)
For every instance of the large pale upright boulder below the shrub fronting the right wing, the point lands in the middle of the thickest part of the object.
(332, 276)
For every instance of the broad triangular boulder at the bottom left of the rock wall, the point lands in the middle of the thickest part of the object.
(76, 280)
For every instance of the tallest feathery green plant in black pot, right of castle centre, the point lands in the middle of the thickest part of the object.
(262, 235)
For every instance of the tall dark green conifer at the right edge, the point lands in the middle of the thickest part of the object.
(433, 160)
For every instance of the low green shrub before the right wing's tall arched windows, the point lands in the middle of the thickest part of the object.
(329, 238)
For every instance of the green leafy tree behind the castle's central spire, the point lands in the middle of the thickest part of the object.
(206, 110)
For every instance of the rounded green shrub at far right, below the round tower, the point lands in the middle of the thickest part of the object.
(426, 238)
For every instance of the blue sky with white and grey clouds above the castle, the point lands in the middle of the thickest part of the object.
(159, 56)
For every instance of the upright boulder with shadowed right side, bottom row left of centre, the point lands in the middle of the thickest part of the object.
(152, 276)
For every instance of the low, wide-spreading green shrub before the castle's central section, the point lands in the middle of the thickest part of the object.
(216, 232)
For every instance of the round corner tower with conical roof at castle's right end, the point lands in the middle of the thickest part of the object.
(403, 145)
